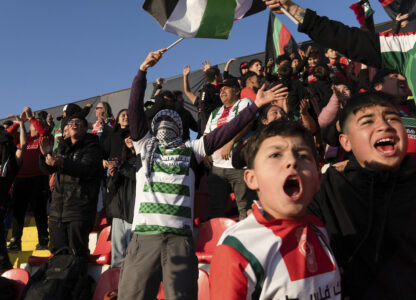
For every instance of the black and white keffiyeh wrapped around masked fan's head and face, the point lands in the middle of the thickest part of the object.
(164, 133)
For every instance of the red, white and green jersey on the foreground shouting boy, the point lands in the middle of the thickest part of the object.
(274, 259)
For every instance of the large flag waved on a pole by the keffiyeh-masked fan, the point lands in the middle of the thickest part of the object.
(201, 18)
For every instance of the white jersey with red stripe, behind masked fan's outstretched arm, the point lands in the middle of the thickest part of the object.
(219, 117)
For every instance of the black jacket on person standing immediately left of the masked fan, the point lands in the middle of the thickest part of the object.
(121, 191)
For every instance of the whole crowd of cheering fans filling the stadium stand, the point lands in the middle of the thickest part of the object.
(315, 153)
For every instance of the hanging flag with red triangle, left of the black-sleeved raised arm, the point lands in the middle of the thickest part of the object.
(279, 40)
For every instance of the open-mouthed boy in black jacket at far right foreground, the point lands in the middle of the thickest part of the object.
(368, 203)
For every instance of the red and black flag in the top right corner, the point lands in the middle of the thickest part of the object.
(394, 7)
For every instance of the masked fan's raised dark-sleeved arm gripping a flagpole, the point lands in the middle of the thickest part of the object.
(137, 119)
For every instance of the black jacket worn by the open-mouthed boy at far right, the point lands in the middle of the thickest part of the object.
(371, 219)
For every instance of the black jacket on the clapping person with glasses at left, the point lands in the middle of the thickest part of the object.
(77, 183)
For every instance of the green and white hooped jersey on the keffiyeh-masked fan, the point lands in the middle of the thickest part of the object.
(164, 203)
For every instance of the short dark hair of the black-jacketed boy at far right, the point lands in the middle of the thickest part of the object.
(364, 100)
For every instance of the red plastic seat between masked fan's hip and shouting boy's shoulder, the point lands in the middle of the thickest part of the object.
(208, 236)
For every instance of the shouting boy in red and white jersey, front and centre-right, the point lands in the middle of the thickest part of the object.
(278, 252)
